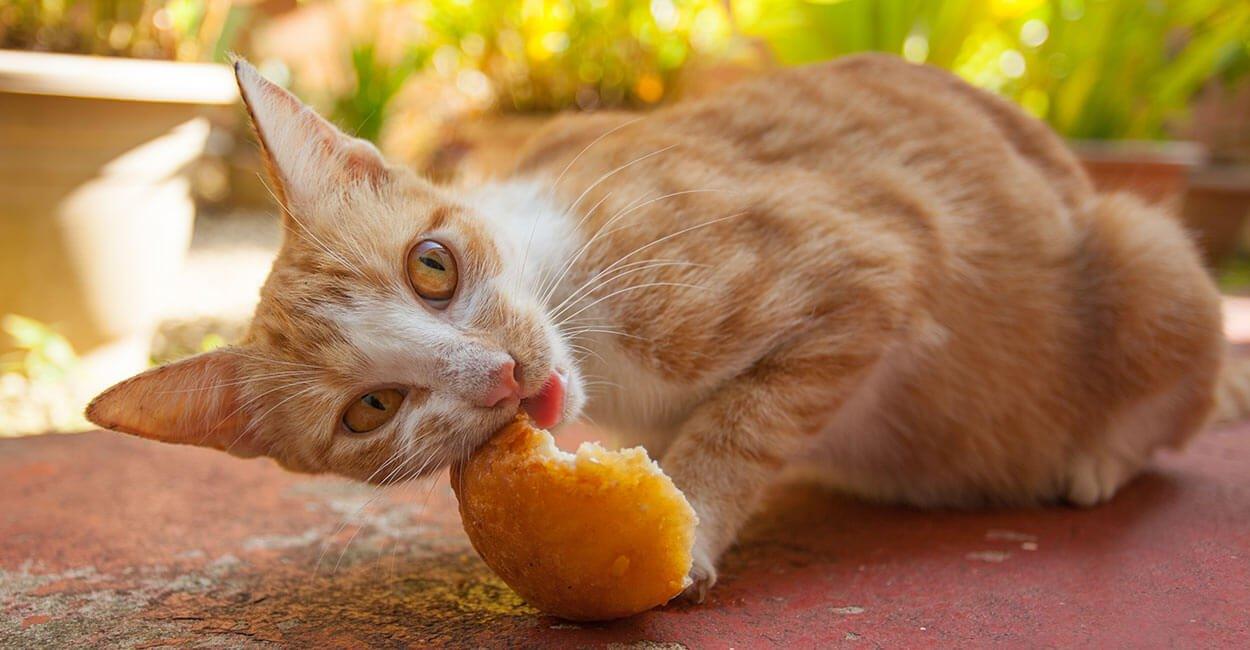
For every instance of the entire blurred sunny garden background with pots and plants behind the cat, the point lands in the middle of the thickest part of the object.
(134, 228)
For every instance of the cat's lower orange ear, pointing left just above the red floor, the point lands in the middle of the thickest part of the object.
(194, 402)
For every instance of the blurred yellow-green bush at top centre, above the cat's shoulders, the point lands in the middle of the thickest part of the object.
(552, 54)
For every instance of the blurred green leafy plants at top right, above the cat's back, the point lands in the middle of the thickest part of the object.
(1094, 69)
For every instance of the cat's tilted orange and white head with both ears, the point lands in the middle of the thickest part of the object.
(394, 334)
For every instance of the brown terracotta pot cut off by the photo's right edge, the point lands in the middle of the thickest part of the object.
(1217, 208)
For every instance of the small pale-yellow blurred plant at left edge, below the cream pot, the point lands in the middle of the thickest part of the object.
(36, 396)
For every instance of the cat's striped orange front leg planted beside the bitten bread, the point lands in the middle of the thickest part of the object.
(736, 443)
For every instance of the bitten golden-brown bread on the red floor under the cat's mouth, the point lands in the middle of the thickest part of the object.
(592, 536)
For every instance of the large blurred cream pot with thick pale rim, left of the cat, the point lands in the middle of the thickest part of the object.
(96, 211)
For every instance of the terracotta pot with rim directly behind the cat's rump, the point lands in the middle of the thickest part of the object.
(1157, 172)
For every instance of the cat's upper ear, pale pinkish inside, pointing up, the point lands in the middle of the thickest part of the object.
(306, 154)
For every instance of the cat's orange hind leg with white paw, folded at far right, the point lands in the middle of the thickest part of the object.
(1156, 316)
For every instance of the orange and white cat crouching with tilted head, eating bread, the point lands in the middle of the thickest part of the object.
(864, 272)
